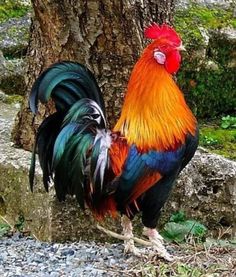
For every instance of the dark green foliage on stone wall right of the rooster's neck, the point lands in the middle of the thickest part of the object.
(209, 93)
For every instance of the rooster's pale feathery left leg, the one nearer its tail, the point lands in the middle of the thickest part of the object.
(128, 233)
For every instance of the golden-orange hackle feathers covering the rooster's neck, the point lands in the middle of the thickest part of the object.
(154, 115)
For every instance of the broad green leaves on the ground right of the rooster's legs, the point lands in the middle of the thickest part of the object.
(179, 228)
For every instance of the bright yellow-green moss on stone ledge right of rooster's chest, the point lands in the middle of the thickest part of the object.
(219, 141)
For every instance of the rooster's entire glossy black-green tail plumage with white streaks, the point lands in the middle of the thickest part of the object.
(72, 143)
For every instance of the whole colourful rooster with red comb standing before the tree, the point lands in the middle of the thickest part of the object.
(132, 168)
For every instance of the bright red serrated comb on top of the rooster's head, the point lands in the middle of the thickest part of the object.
(164, 31)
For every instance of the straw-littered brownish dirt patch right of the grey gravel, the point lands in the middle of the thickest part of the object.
(190, 260)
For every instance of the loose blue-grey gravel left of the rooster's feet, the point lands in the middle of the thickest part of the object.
(24, 256)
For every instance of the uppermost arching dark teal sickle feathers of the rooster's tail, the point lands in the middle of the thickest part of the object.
(76, 80)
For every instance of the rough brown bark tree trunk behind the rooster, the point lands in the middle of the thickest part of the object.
(105, 35)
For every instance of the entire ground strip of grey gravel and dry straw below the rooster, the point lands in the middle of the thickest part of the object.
(25, 257)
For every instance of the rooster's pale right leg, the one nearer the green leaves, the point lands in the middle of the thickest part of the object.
(156, 241)
